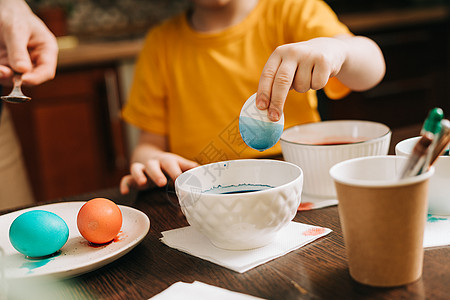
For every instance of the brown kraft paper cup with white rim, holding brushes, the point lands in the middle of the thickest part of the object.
(382, 219)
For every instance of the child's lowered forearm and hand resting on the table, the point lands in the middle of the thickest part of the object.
(151, 160)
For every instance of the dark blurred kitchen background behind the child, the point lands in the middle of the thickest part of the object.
(75, 142)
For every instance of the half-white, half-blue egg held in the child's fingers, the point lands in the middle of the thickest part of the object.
(256, 129)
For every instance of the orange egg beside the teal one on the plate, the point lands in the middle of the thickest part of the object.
(99, 220)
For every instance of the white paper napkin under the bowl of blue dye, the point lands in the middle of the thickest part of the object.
(293, 236)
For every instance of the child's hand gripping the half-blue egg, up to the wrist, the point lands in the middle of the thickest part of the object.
(300, 66)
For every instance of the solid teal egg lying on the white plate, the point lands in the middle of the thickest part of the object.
(38, 233)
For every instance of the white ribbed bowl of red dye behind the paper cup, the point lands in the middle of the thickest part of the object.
(316, 147)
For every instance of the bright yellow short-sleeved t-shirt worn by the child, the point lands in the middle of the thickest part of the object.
(191, 86)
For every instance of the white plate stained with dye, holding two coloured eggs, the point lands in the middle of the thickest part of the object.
(76, 256)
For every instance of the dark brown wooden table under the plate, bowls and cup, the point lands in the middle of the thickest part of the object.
(316, 271)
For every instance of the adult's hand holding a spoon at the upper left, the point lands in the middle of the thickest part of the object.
(26, 45)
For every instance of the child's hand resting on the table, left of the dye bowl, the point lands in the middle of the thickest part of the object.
(154, 172)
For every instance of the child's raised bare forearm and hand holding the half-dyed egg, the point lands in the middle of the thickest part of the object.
(356, 61)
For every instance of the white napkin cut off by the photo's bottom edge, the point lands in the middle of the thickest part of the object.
(199, 291)
